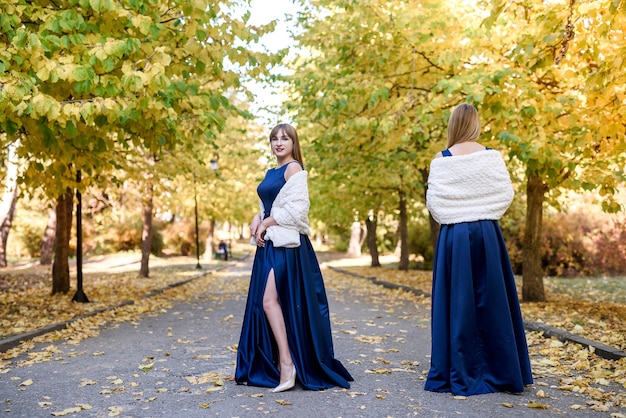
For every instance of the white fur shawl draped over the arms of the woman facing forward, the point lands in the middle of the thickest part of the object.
(291, 211)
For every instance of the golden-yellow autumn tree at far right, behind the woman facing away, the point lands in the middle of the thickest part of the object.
(544, 102)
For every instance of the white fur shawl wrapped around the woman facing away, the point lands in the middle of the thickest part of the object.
(466, 188)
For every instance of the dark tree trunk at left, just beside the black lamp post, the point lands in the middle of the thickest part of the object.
(61, 266)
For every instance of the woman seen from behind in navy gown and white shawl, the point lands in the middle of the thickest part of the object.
(478, 340)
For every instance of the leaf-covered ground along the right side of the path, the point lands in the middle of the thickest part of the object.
(587, 314)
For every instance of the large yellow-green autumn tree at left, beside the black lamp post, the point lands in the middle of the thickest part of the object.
(84, 83)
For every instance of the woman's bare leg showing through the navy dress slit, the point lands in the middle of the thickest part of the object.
(274, 315)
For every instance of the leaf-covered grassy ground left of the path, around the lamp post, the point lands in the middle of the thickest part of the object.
(26, 303)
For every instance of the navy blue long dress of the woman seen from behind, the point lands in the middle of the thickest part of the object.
(478, 340)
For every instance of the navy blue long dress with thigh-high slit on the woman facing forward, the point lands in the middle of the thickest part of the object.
(304, 304)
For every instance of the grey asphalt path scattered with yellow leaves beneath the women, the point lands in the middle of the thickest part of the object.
(180, 363)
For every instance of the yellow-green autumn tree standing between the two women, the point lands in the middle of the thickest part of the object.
(369, 87)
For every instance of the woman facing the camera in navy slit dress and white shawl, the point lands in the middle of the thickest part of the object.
(286, 332)
